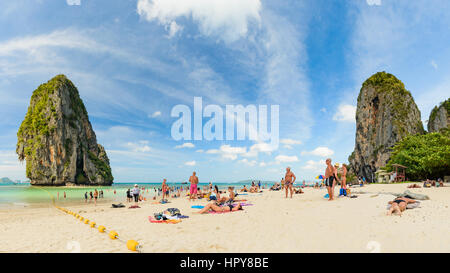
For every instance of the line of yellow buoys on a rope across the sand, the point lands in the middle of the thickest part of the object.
(113, 235)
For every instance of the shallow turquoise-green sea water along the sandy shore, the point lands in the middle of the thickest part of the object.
(20, 196)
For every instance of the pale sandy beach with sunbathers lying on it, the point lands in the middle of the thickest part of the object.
(305, 223)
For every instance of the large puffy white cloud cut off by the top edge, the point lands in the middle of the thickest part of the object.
(228, 19)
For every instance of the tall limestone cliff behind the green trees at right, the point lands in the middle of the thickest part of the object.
(386, 113)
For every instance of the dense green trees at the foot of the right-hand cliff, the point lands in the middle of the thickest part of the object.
(426, 156)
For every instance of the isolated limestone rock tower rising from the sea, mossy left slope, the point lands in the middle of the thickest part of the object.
(57, 141)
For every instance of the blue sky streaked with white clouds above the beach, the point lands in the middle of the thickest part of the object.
(133, 60)
